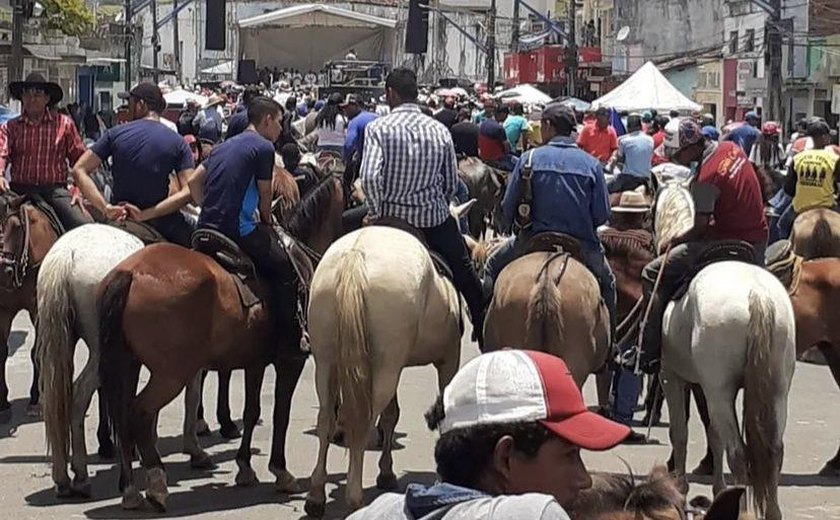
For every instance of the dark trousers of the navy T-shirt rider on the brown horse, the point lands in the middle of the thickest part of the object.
(272, 262)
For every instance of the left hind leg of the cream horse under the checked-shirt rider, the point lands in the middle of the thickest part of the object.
(326, 387)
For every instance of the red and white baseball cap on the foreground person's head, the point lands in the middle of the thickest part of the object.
(511, 386)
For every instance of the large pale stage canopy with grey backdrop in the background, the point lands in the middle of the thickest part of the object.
(306, 36)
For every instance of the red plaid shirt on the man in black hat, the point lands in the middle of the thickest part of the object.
(39, 152)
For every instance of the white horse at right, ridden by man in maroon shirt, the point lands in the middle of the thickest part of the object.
(733, 329)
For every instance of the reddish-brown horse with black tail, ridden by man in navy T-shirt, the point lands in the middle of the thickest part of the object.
(208, 328)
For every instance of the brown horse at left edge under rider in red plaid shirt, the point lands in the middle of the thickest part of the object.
(27, 235)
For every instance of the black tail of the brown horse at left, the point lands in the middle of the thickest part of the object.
(116, 359)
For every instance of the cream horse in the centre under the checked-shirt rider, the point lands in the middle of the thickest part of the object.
(377, 306)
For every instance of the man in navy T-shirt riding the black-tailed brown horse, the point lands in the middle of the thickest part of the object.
(232, 187)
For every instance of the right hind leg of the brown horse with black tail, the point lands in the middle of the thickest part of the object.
(158, 392)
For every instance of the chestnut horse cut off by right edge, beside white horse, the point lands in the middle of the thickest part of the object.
(814, 288)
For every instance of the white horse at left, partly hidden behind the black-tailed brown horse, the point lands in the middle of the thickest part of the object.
(67, 282)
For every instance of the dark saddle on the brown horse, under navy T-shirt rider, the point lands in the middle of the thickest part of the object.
(232, 259)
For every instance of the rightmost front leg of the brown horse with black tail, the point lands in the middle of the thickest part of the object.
(288, 374)
